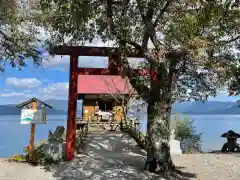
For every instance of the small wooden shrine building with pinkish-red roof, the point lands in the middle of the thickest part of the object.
(103, 97)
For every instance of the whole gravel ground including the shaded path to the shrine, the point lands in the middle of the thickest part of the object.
(115, 156)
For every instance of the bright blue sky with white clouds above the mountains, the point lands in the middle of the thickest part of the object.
(51, 81)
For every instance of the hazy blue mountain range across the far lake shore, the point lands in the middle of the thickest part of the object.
(187, 107)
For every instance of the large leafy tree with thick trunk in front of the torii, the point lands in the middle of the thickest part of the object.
(191, 49)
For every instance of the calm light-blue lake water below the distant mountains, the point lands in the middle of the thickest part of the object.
(14, 136)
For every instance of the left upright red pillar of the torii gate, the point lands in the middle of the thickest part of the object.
(72, 108)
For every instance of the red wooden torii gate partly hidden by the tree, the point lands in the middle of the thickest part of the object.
(113, 69)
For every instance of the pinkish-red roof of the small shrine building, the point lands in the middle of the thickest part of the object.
(103, 84)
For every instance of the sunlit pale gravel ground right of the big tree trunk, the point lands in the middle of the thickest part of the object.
(211, 166)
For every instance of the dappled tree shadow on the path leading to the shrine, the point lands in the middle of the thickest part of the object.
(110, 155)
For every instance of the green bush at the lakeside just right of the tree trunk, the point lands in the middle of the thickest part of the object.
(185, 132)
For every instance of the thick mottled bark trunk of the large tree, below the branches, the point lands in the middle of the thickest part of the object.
(158, 151)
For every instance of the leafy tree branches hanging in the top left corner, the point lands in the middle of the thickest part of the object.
(18, 34)
